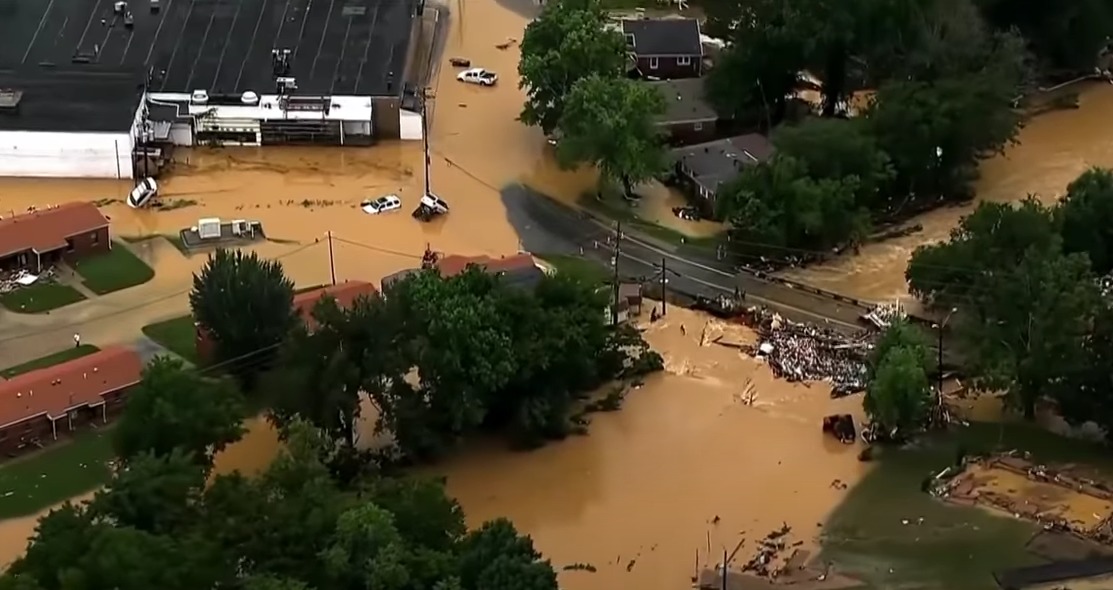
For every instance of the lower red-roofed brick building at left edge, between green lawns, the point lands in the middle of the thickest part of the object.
(47, 405)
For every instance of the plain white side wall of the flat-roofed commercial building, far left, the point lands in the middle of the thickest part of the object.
(76, 155)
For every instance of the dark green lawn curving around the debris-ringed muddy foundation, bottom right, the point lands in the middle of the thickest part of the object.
(956, 548)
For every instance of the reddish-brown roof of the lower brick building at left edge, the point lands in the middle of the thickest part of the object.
(56, 390)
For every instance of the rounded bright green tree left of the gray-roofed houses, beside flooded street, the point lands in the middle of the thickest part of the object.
(610, 123)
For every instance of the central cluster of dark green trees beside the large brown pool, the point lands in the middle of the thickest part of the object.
(441, 358)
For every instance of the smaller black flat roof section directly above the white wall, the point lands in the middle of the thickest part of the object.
(72, 102)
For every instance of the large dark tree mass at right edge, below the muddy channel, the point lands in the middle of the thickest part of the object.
(1030, 316)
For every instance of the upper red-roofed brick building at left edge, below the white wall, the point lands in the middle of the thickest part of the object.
(36, 241)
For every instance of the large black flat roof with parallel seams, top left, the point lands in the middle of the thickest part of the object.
(352, 47)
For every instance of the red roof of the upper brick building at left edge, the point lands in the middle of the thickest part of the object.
(47, 230)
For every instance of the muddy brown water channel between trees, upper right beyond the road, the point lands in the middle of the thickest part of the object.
(1053, 151)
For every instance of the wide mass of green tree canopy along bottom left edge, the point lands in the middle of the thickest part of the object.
(293, 528)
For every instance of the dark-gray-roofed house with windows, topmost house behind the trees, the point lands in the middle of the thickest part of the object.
(665, 48)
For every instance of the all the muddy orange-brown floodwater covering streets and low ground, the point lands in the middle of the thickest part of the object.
(686, 464)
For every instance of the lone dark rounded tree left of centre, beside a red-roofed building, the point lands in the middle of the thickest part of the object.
(245, 304)
